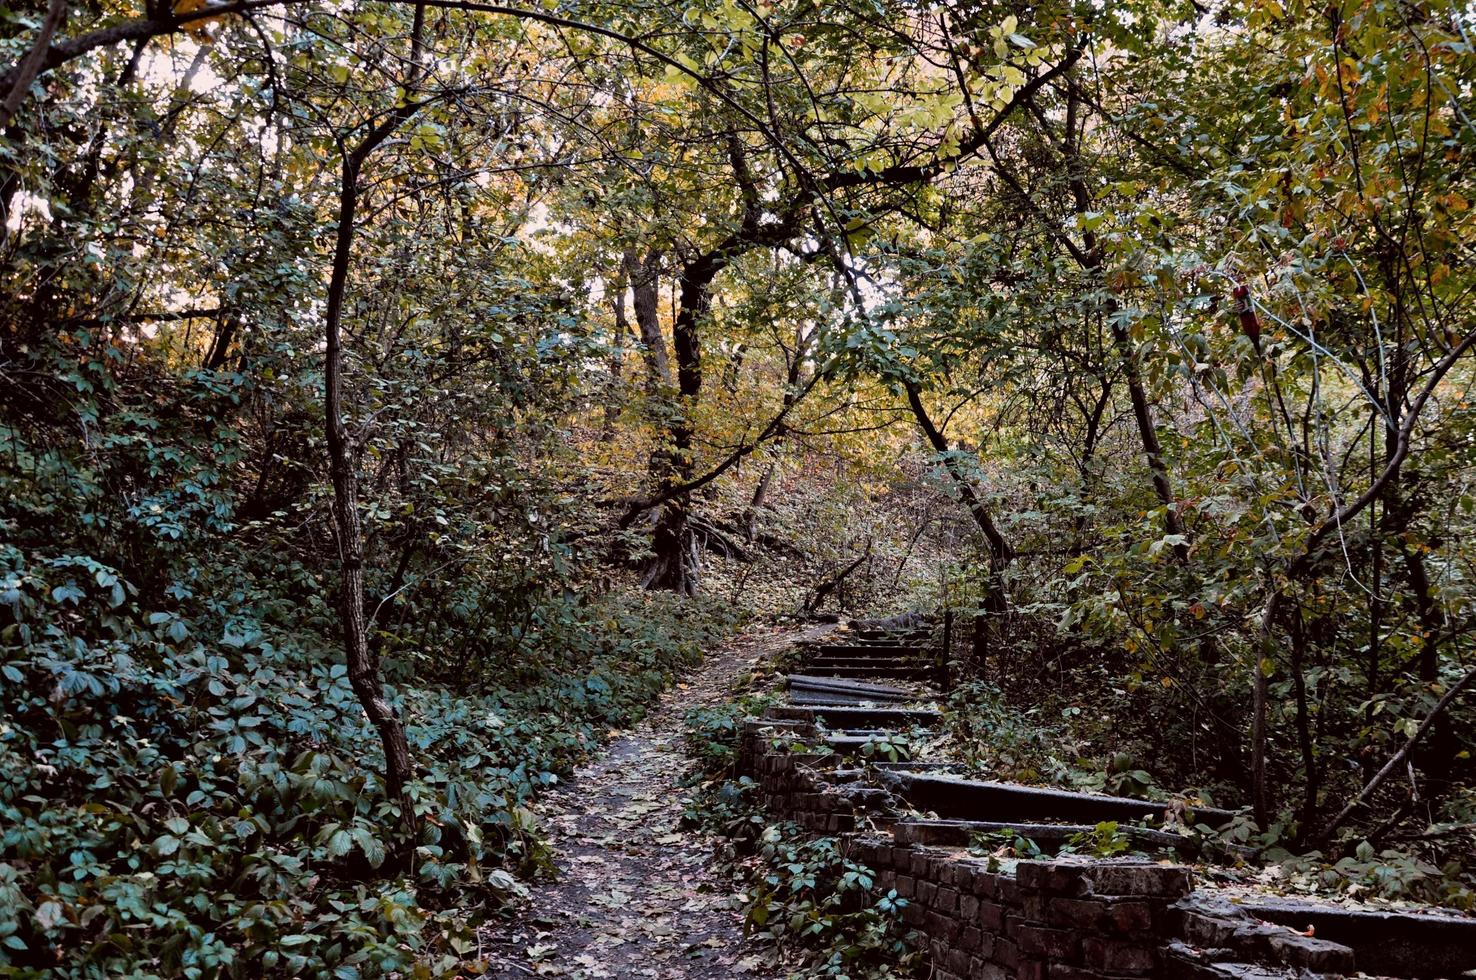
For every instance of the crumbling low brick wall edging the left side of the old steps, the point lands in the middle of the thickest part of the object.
(1071, 919)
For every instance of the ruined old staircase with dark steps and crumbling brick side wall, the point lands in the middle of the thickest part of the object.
(821, 761)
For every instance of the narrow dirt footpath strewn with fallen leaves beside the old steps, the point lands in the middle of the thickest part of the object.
(637, 895)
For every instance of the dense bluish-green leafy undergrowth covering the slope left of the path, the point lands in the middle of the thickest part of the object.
(188, 784)
